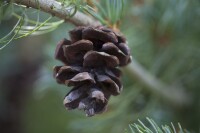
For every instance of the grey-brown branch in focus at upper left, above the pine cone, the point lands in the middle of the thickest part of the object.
(57, 9)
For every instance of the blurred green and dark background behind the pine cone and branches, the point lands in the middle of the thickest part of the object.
(164, 37)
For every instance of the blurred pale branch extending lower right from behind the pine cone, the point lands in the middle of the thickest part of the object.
(174, 95)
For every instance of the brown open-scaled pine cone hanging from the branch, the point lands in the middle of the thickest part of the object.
(91, 59)
